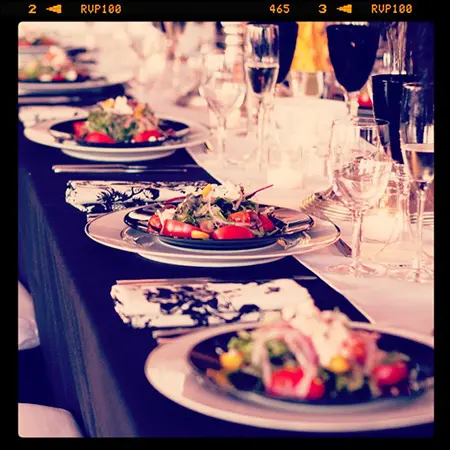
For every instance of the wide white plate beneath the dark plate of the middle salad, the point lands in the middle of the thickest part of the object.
(110, 230)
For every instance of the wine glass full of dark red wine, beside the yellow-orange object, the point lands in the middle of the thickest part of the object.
(352, 49)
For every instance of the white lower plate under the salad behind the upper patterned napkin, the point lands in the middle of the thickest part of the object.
(40, 134)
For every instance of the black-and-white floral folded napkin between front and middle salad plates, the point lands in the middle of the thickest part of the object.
(192, 305)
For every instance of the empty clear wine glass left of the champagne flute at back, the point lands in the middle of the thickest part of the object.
(223, 89)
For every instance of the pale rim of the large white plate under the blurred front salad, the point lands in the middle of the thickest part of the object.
(278, 424)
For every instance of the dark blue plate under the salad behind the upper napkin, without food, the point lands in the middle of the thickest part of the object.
(178, 130)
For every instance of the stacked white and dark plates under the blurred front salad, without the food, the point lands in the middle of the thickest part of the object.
(177, 371)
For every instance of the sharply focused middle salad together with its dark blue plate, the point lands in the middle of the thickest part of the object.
(221, 218)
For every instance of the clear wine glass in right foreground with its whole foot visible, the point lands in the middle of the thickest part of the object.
(360, 170)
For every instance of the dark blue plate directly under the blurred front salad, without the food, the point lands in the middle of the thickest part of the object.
(205, 357)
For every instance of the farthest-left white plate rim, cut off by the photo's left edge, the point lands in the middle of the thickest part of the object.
(41, 88)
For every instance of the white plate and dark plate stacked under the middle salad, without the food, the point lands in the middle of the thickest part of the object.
(114, 230)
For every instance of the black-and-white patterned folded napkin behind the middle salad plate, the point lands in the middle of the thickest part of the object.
(94, 197)
